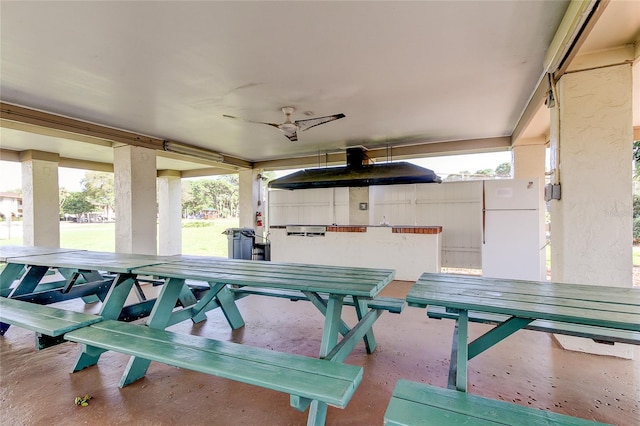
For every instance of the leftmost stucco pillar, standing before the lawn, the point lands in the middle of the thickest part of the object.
(40, 199)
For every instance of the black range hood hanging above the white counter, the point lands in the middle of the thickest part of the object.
(356, 173)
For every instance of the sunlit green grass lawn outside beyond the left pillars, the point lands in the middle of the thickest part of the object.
(198, 238)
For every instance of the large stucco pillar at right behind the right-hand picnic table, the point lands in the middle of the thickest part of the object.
(591, 225)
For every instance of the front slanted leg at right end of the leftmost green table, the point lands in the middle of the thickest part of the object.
(111, 308)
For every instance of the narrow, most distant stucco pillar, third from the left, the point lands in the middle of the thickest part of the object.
(169, 213)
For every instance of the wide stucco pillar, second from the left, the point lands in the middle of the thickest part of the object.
(135, 199)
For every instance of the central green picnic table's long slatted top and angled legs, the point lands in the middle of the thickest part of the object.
(325, 286)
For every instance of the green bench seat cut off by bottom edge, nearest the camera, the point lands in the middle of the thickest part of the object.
(420, 404)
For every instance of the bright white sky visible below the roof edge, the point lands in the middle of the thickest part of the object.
(10, 172)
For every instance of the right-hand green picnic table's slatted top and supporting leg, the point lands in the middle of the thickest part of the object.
(519, 303)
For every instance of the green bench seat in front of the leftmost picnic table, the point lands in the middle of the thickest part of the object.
(44, 320)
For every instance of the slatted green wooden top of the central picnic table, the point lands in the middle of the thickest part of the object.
(362, 282)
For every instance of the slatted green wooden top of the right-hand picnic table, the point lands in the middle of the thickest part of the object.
(612, 307)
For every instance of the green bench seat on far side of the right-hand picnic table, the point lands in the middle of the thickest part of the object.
(598, 334)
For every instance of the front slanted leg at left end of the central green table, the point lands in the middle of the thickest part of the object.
(159, 318)
